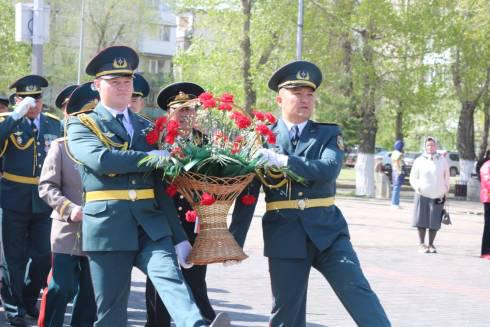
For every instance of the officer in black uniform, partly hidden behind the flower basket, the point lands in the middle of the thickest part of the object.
(171, 98)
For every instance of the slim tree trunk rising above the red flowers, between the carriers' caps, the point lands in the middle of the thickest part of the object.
(250, 94)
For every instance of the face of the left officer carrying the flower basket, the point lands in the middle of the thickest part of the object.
(116, 92)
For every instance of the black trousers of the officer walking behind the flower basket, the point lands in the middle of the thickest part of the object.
(195, 277)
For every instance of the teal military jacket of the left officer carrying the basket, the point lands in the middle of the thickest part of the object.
(112, 225)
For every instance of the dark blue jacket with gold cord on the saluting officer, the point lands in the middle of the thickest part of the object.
(23, 155)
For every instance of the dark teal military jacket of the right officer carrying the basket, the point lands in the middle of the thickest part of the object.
(318, 159)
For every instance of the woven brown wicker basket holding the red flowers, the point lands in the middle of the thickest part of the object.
(214, 243)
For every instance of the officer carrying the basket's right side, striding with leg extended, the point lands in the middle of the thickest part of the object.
(302, 227)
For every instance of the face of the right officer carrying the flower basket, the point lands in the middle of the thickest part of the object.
(296, 103)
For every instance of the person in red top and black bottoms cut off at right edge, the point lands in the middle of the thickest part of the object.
(484, 172)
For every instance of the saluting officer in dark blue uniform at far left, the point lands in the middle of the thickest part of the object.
(25, 137)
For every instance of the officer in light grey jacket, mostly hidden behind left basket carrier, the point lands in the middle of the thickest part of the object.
(61, 187)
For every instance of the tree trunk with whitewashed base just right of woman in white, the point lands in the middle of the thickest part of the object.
(466, 139)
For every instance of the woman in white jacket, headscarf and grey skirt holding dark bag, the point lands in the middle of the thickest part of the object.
(429, 178)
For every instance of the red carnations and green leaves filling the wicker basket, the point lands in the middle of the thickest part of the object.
(222, 141)
